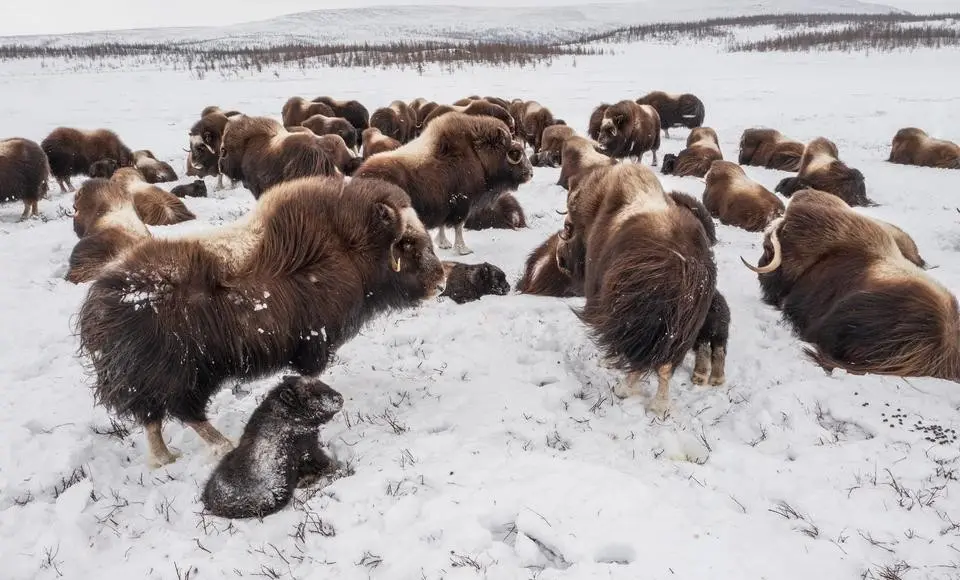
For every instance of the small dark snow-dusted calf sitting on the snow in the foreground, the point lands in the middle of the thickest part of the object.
(278, 451)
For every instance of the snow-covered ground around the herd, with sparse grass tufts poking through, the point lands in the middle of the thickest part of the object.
(483, 439)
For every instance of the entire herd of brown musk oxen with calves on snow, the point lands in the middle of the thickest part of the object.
(339, 234)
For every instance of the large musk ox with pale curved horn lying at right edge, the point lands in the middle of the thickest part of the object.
(845, 286)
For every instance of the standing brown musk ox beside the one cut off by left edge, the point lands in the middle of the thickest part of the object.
(71, 152)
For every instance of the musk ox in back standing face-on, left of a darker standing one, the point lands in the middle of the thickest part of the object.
(630, 130)
